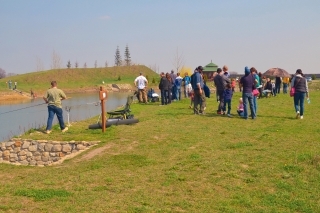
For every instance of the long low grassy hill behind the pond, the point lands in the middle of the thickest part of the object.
(78, 78)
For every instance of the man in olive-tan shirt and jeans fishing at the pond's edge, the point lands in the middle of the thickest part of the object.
(53, 98)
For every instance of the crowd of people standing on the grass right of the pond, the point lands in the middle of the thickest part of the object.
(252, 85)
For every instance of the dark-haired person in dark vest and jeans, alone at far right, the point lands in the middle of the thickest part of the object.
(301, 90)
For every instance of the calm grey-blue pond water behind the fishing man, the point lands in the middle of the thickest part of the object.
(16, 119)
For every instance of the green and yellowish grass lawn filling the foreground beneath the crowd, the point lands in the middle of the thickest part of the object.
(174, 161)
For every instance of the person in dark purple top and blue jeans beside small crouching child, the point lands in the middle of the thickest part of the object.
(247, 83)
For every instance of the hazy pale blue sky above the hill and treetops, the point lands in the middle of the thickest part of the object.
(238, 33)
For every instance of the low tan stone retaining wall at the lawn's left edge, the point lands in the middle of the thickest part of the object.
(40, 152)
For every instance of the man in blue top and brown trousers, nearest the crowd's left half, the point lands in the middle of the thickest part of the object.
(199, 96)
